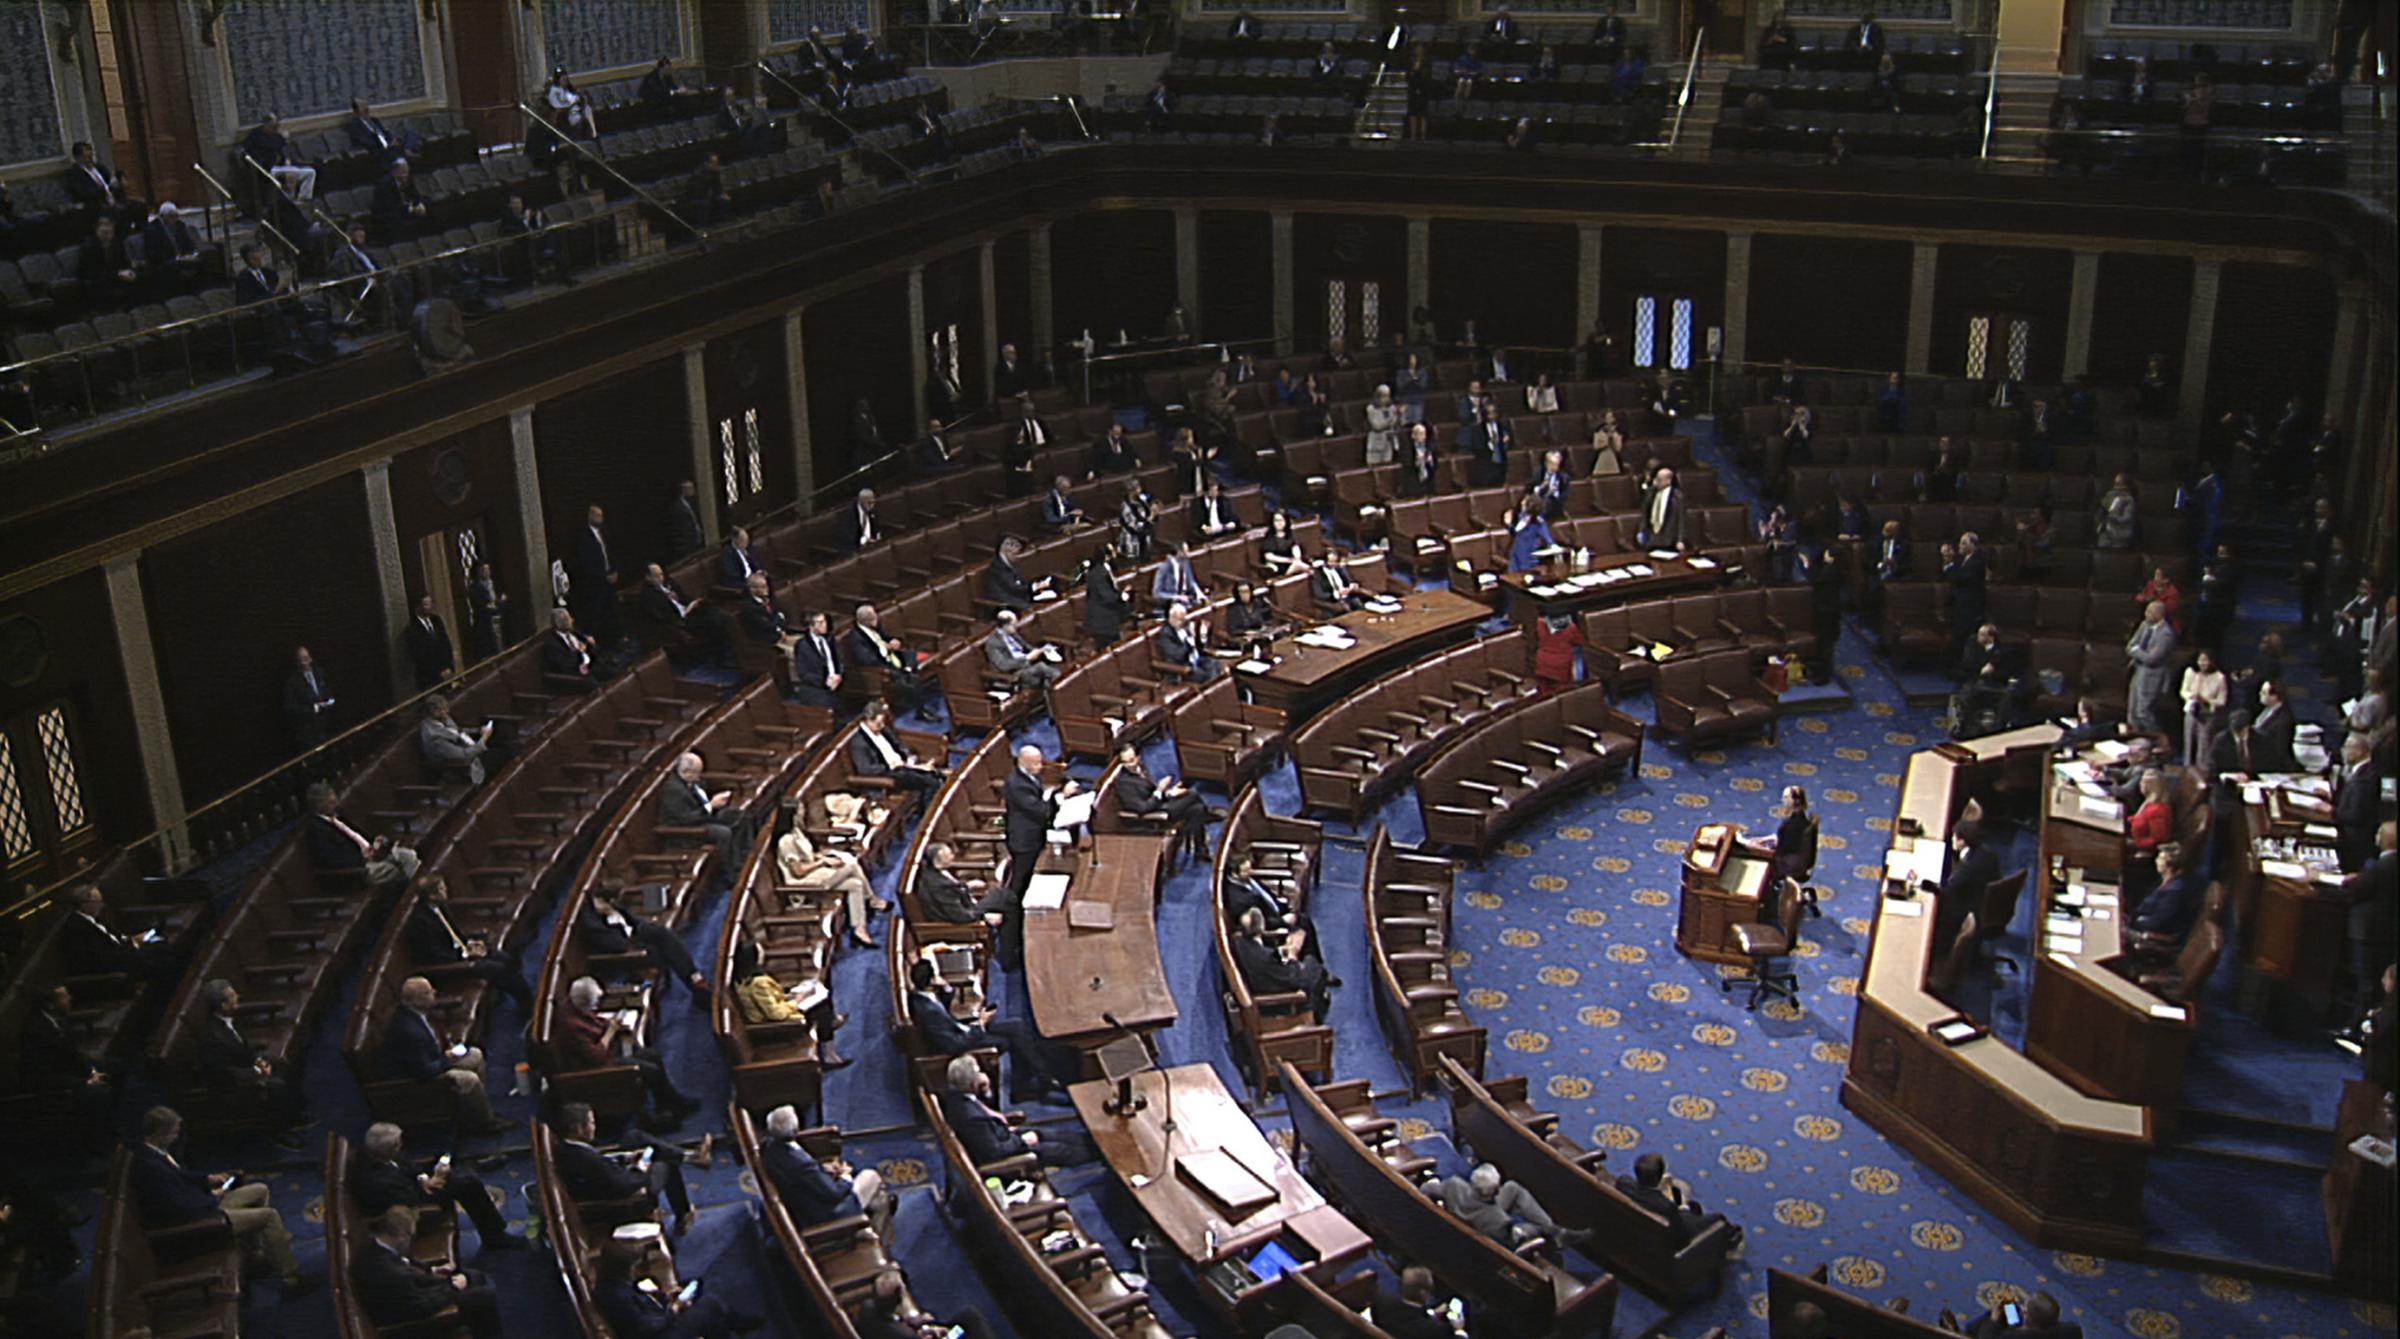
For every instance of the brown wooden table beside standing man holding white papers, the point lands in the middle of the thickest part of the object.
(1076, 975)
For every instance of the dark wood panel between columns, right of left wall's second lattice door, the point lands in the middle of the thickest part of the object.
(858, 349)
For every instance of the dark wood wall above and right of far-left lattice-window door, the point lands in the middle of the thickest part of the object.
(80, 666)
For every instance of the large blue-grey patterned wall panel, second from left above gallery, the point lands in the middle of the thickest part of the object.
(306, 56)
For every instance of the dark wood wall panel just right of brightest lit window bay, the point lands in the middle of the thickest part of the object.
(1828, 301)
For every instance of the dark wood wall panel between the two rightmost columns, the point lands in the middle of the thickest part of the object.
(2272, 342)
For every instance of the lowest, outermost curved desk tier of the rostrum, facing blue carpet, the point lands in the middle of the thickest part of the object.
(2053, 1163)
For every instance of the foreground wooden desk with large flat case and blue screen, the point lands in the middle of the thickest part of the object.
(1208, 1122)
